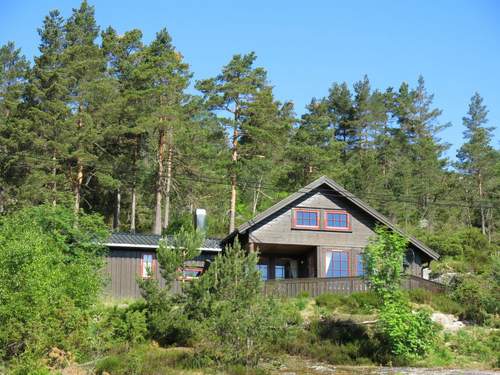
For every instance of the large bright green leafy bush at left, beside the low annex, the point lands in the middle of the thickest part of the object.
(52, 260)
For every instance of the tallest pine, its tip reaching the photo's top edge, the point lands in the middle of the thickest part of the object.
(84, 64)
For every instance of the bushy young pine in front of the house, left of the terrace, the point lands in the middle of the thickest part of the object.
(238, 325)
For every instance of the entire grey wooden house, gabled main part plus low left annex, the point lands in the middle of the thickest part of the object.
(320, 232)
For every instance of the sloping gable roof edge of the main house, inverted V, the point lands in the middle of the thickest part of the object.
(344, 193)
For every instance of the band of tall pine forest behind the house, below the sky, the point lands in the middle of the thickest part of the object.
(105, 122)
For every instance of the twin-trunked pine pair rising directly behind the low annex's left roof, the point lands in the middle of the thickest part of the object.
(126, 136)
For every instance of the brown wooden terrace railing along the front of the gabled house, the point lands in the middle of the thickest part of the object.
(343, 285)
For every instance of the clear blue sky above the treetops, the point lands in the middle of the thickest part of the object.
(305, 46)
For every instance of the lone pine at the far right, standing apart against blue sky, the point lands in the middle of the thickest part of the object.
(477, 157)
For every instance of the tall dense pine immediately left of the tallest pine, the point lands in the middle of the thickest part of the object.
(47, 110)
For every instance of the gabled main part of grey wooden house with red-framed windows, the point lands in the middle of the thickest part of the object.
(320, 232)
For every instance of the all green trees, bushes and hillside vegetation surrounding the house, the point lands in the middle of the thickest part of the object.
(104, 132)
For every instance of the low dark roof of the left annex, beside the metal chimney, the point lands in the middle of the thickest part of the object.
(151, 241)
